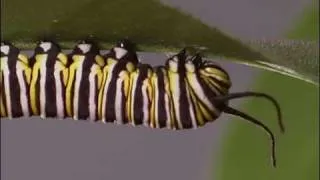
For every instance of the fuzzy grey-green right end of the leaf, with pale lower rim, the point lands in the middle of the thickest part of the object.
(296, 58)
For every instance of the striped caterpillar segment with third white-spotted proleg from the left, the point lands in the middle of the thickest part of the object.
(84, 82)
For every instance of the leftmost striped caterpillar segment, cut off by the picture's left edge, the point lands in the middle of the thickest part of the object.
(15, 80)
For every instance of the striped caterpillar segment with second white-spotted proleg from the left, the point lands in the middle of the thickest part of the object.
(48, 82)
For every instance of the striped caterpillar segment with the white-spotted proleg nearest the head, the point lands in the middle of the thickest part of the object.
(113, 96)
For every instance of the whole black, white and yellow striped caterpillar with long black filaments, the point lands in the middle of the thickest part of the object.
(187, 92)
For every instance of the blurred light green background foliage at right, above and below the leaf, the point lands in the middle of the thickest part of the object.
(246, 148)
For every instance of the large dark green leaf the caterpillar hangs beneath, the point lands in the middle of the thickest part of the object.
(152, 25)
